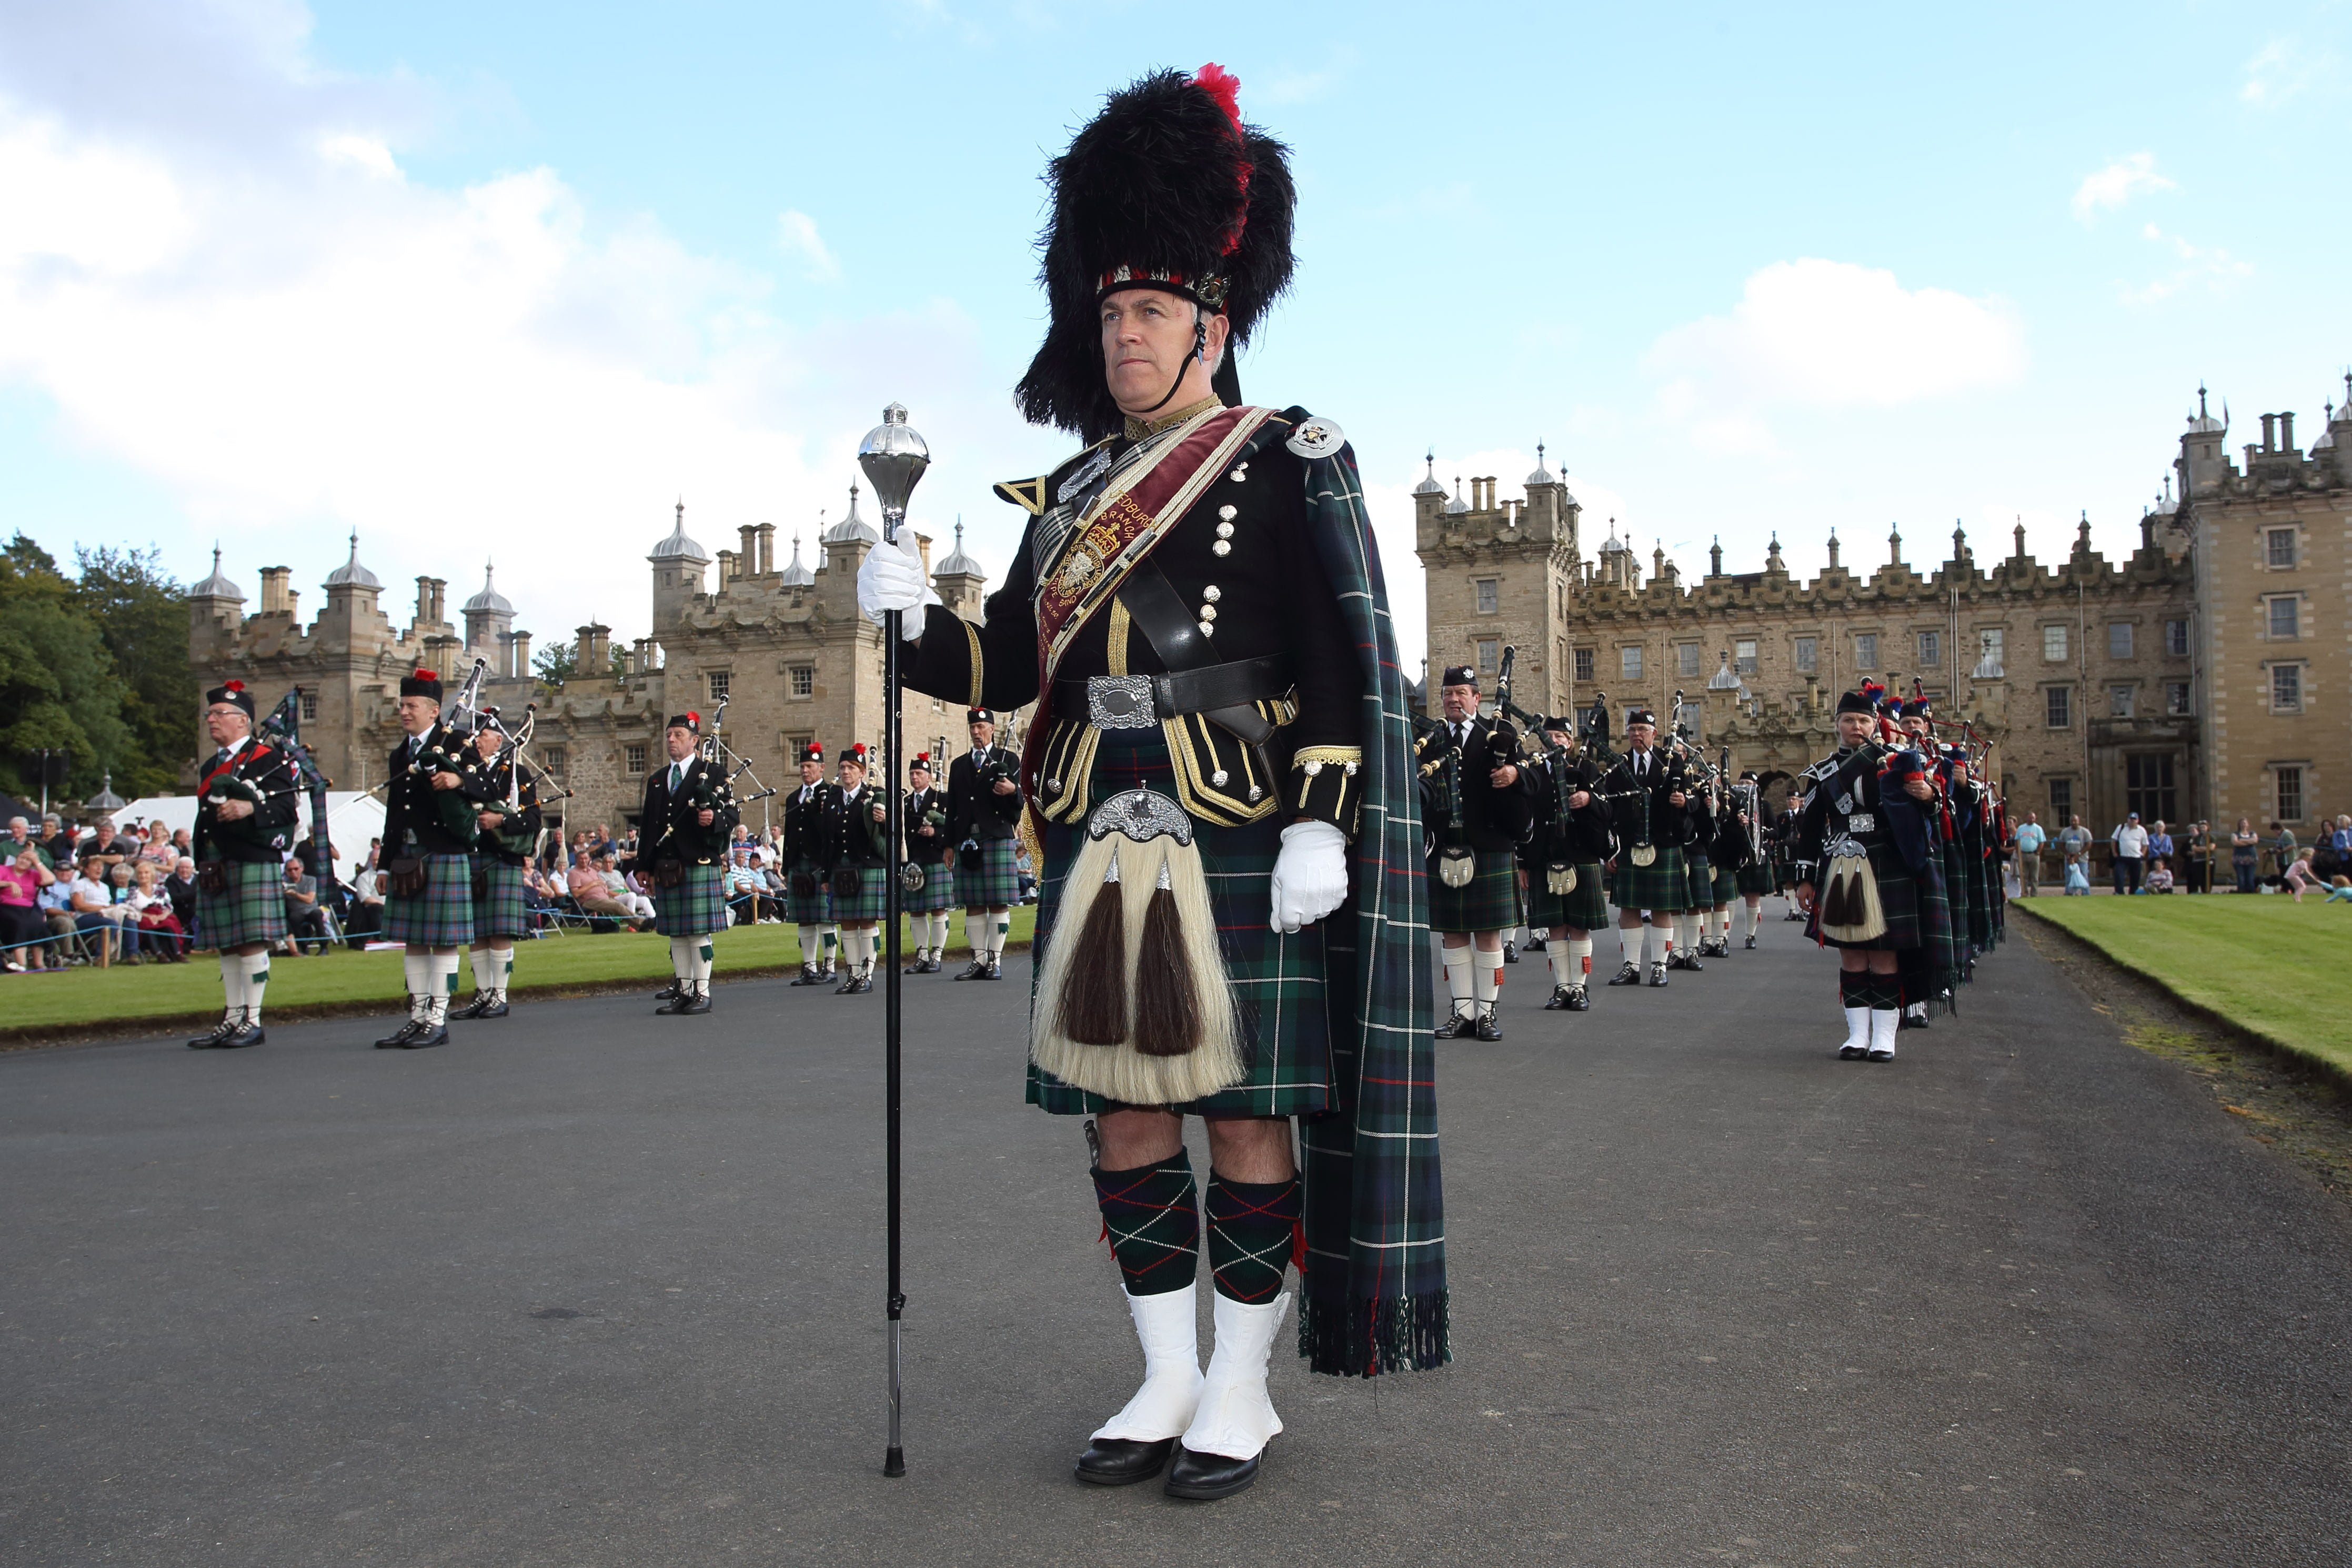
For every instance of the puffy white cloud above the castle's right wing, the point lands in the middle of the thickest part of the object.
(1829, 335)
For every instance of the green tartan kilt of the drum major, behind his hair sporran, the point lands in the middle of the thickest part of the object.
(1278, 979)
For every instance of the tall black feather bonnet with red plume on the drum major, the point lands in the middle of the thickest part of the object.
(1163, 189)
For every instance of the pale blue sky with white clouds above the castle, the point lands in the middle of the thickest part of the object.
(512, 279)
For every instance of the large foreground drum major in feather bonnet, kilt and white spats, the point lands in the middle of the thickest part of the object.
(1220, 749)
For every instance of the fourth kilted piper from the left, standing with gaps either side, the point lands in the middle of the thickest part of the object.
(683, 831)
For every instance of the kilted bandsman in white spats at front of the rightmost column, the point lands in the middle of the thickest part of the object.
(1862, 857)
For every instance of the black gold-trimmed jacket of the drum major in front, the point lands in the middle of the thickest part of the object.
(1259, 584)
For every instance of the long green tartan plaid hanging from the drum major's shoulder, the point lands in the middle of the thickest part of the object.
(1375, 1280)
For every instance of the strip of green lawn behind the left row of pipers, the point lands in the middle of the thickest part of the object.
(81, 998)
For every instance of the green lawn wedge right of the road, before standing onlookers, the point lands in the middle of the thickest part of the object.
(2266, 965)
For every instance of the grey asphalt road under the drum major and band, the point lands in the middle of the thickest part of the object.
(599, 1287)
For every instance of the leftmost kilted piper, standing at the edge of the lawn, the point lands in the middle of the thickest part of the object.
(243, 829)
